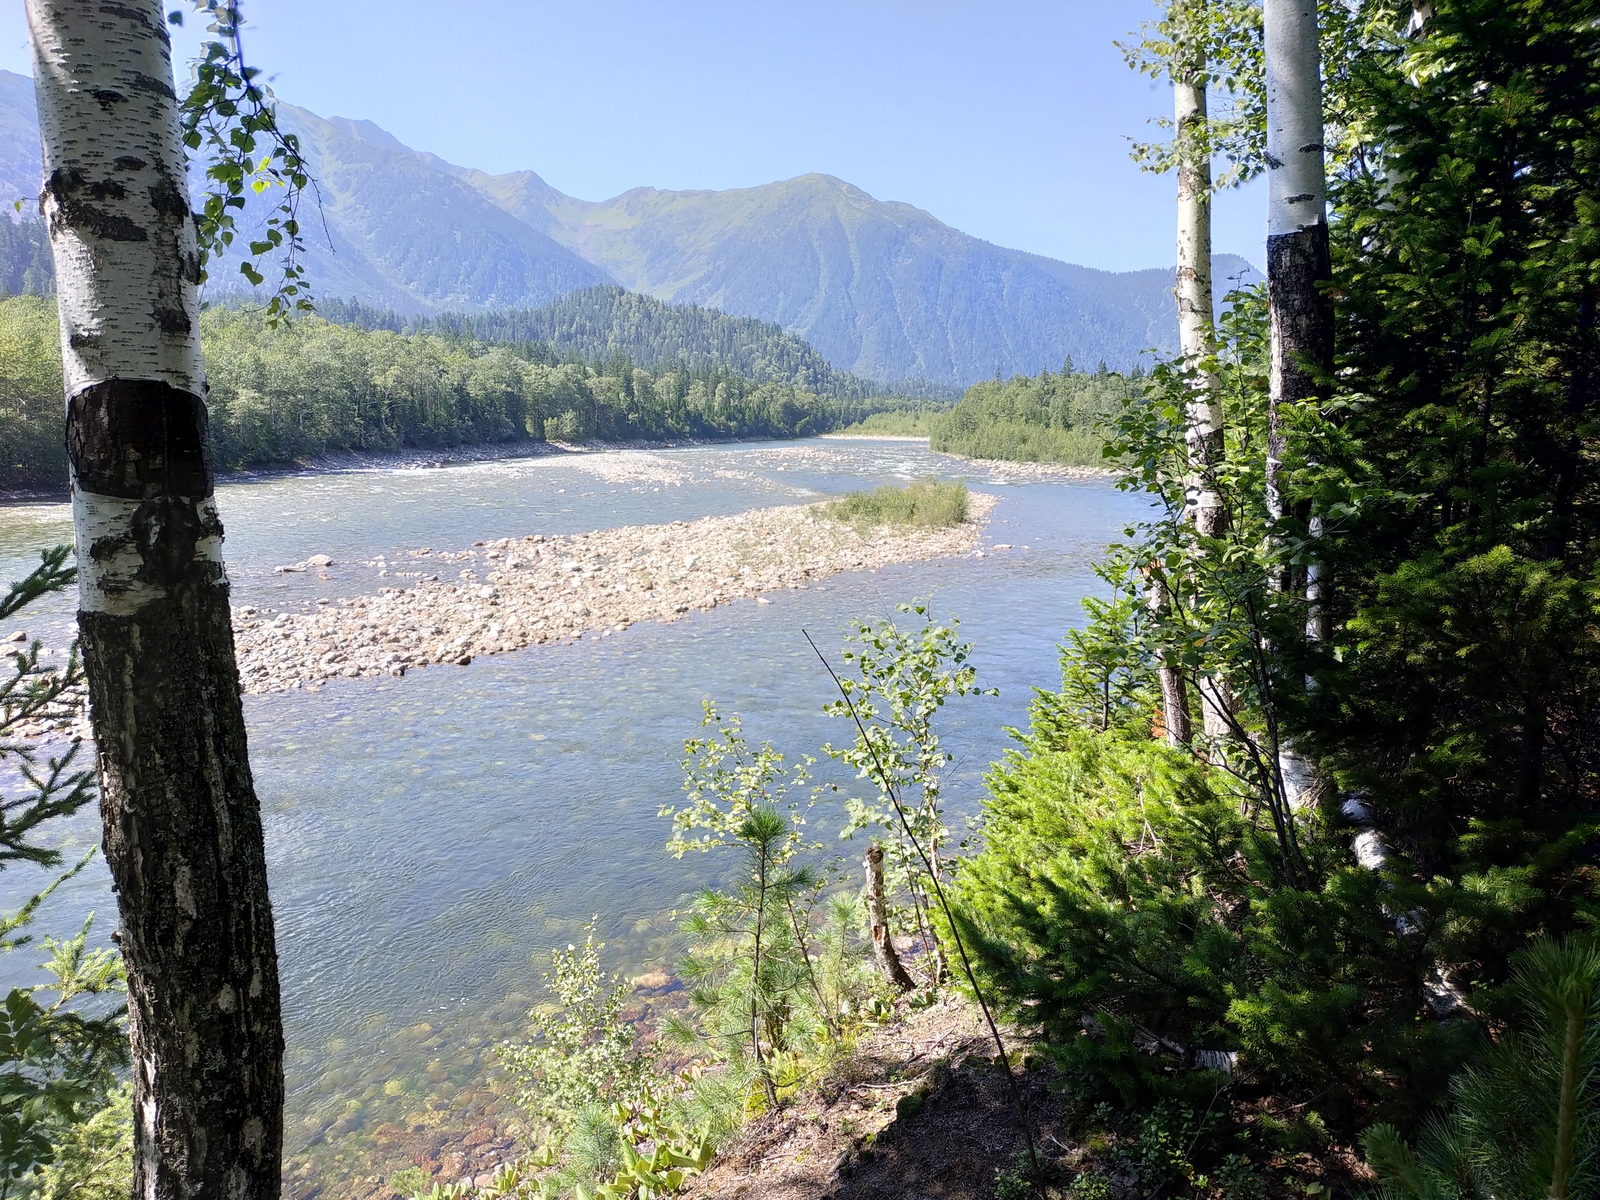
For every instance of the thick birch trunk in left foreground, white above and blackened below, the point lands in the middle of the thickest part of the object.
(182, 823)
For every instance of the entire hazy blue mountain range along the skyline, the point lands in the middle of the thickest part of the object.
(882, 290)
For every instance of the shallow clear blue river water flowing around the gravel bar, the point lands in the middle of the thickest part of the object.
(428, 834)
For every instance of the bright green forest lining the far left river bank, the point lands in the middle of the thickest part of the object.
(314, 388)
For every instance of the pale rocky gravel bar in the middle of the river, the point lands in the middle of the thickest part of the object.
(535, 591)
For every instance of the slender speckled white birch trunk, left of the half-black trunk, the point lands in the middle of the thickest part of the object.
(1198, 322)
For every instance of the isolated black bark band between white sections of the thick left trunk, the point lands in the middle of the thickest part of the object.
(138, 439)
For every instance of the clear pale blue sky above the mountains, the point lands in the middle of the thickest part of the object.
(1007, 119)
